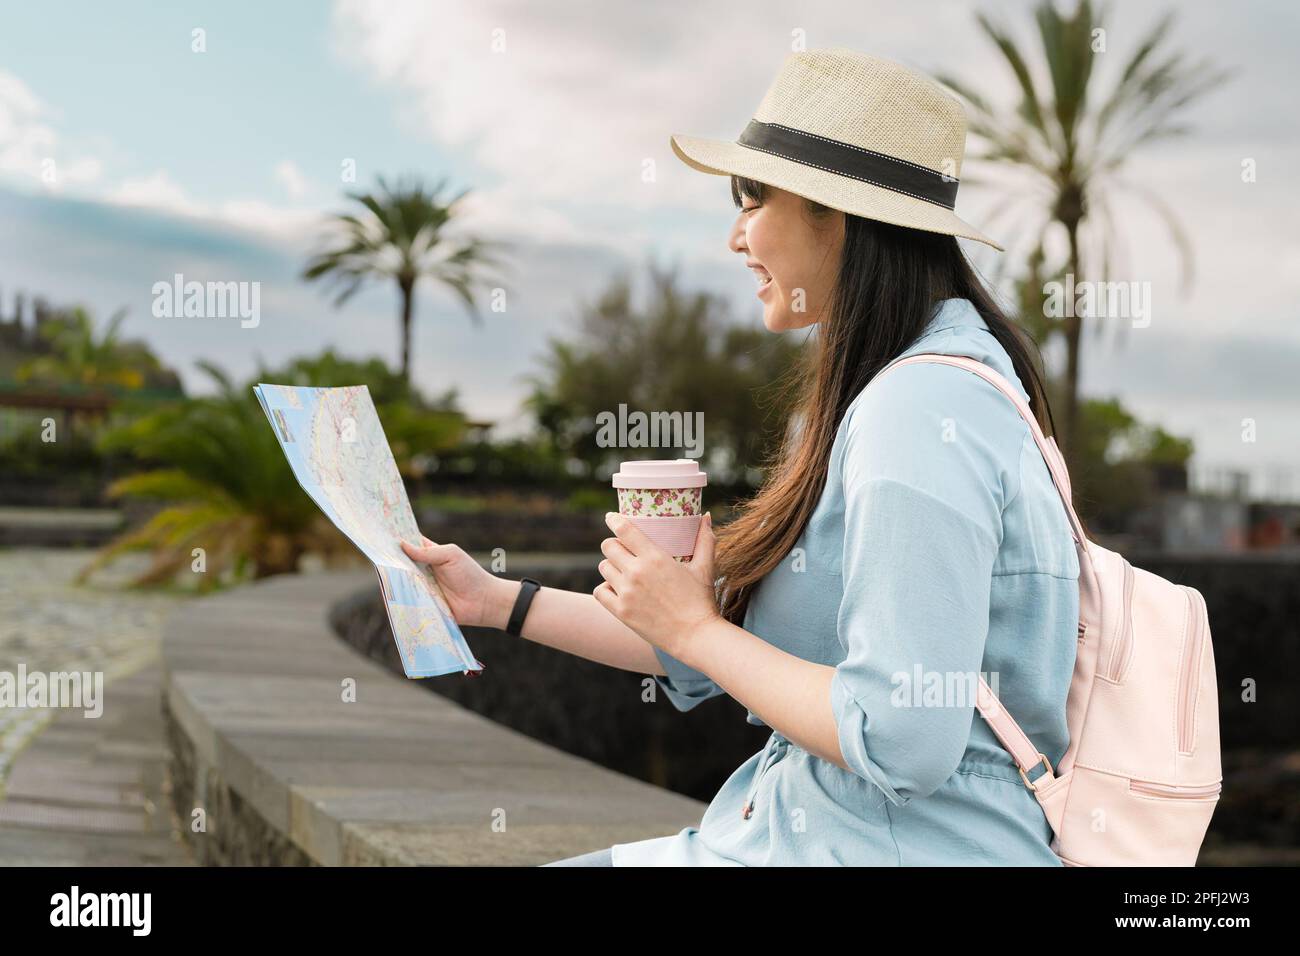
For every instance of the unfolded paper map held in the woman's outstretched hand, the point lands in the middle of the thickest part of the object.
(336, 445)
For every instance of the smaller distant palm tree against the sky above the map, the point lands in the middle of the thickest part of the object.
(400, 235)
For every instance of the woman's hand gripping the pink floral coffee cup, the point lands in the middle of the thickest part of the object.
(662, 600)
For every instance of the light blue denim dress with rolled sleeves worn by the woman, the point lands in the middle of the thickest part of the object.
(939, 552)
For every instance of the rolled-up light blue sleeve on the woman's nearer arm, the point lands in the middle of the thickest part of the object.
(930, 461)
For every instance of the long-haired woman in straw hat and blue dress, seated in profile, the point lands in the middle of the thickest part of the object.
(907, 542)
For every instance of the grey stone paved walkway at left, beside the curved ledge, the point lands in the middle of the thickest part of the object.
(73, 790)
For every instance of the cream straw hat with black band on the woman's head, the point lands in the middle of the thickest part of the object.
(856, 133)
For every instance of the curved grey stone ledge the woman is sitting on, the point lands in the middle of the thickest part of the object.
(288, 773)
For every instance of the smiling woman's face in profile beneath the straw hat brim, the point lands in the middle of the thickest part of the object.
(795, 256)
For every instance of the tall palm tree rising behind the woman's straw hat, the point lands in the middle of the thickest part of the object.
(1074, 141)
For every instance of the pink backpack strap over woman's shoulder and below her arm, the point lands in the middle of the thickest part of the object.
(1002, 723)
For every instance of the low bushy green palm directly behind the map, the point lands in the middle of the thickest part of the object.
(227, 487)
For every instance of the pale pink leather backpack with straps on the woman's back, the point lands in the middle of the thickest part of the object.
(1142, 776)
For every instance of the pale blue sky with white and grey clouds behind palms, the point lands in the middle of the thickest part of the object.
(128, 157)
